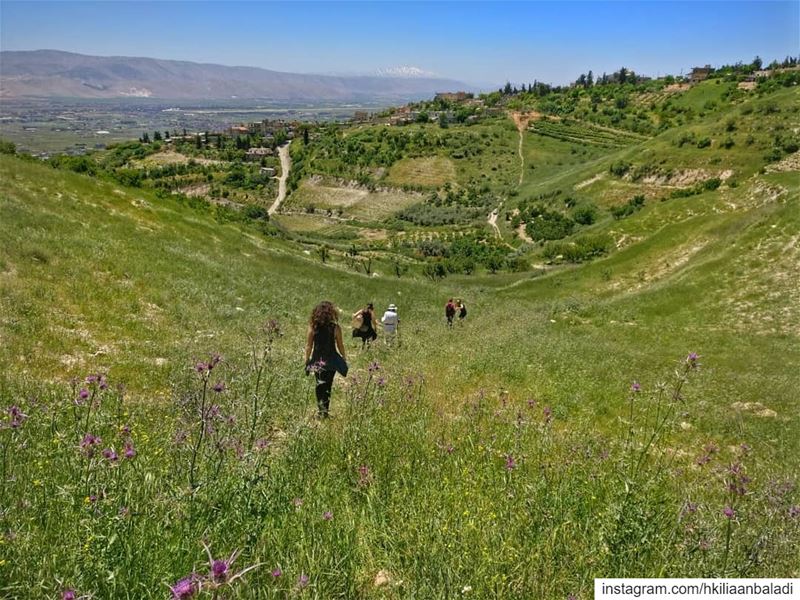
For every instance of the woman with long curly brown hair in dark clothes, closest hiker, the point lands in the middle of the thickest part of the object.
(323, 339)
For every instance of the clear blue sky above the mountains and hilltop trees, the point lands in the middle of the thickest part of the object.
(487, 42)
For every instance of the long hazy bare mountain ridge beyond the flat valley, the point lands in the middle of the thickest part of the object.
(52, 73)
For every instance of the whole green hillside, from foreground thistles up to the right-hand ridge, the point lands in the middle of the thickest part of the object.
(509, 457)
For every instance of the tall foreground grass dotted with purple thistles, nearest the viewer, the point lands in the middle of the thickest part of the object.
(394, 497)
